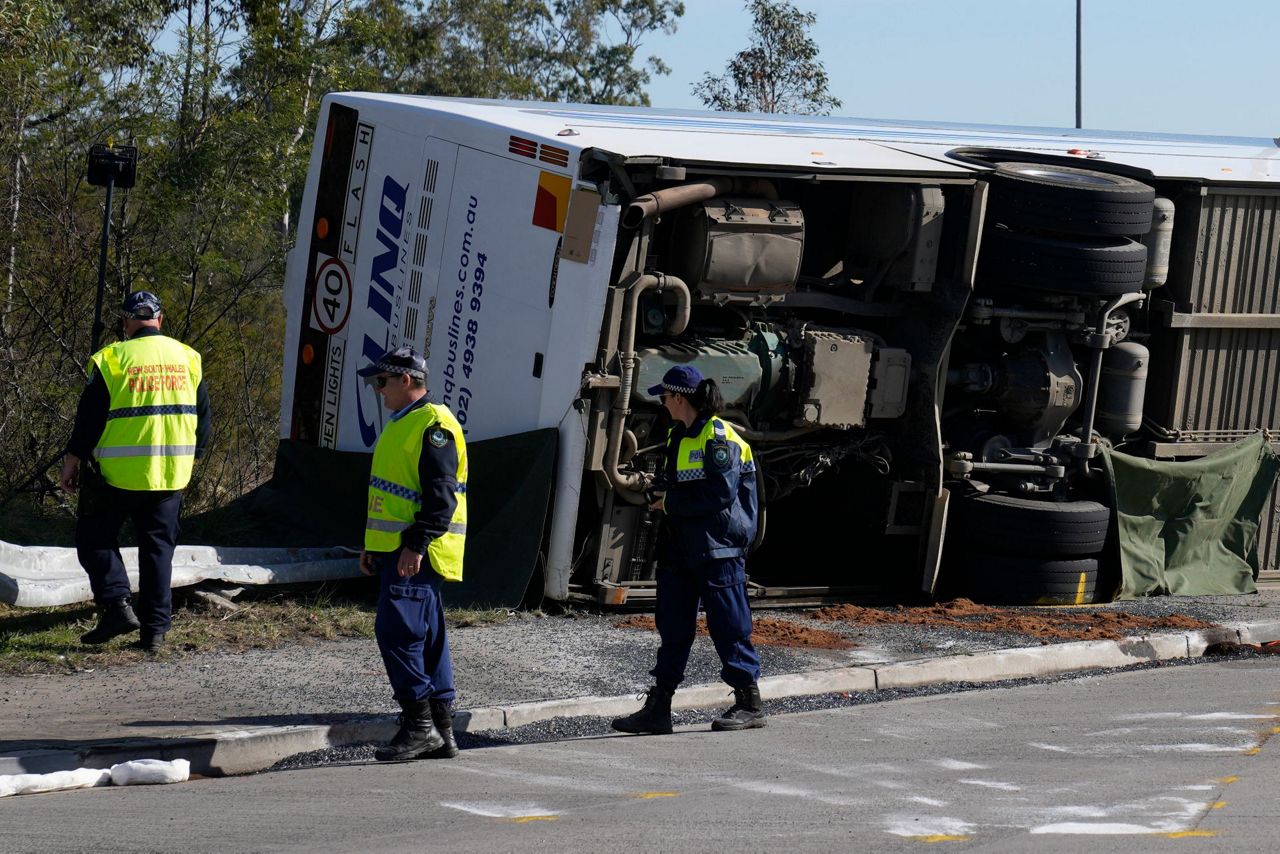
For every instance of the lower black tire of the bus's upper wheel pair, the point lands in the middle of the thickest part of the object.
(1103, 267)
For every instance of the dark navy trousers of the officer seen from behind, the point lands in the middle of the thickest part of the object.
(103, 512)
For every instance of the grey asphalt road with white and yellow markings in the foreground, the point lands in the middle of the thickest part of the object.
(1151, 761)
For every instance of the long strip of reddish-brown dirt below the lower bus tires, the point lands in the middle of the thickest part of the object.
(1048, 625)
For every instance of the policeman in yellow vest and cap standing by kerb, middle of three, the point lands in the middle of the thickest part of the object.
(415, 532)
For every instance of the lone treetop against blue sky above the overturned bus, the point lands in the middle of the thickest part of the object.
(780, 72)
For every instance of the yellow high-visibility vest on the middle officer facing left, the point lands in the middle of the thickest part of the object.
(396, 490)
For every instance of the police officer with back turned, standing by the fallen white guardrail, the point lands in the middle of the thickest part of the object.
(141, 423)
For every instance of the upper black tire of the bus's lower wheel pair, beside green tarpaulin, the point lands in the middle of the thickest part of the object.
(1016, 526)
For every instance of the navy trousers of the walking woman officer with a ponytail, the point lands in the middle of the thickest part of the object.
(721, 587)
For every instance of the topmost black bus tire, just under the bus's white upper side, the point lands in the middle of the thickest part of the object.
(1064, 200)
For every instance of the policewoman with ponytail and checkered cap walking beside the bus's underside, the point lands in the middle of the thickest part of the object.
(707, 495)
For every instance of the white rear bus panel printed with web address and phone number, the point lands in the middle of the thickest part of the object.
(492, 312)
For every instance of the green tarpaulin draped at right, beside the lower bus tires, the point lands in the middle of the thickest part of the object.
(1191, 528)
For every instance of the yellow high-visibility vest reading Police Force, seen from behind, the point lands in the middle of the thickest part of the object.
(150, 437)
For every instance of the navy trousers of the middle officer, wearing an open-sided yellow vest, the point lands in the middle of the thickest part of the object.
(410, 631)
